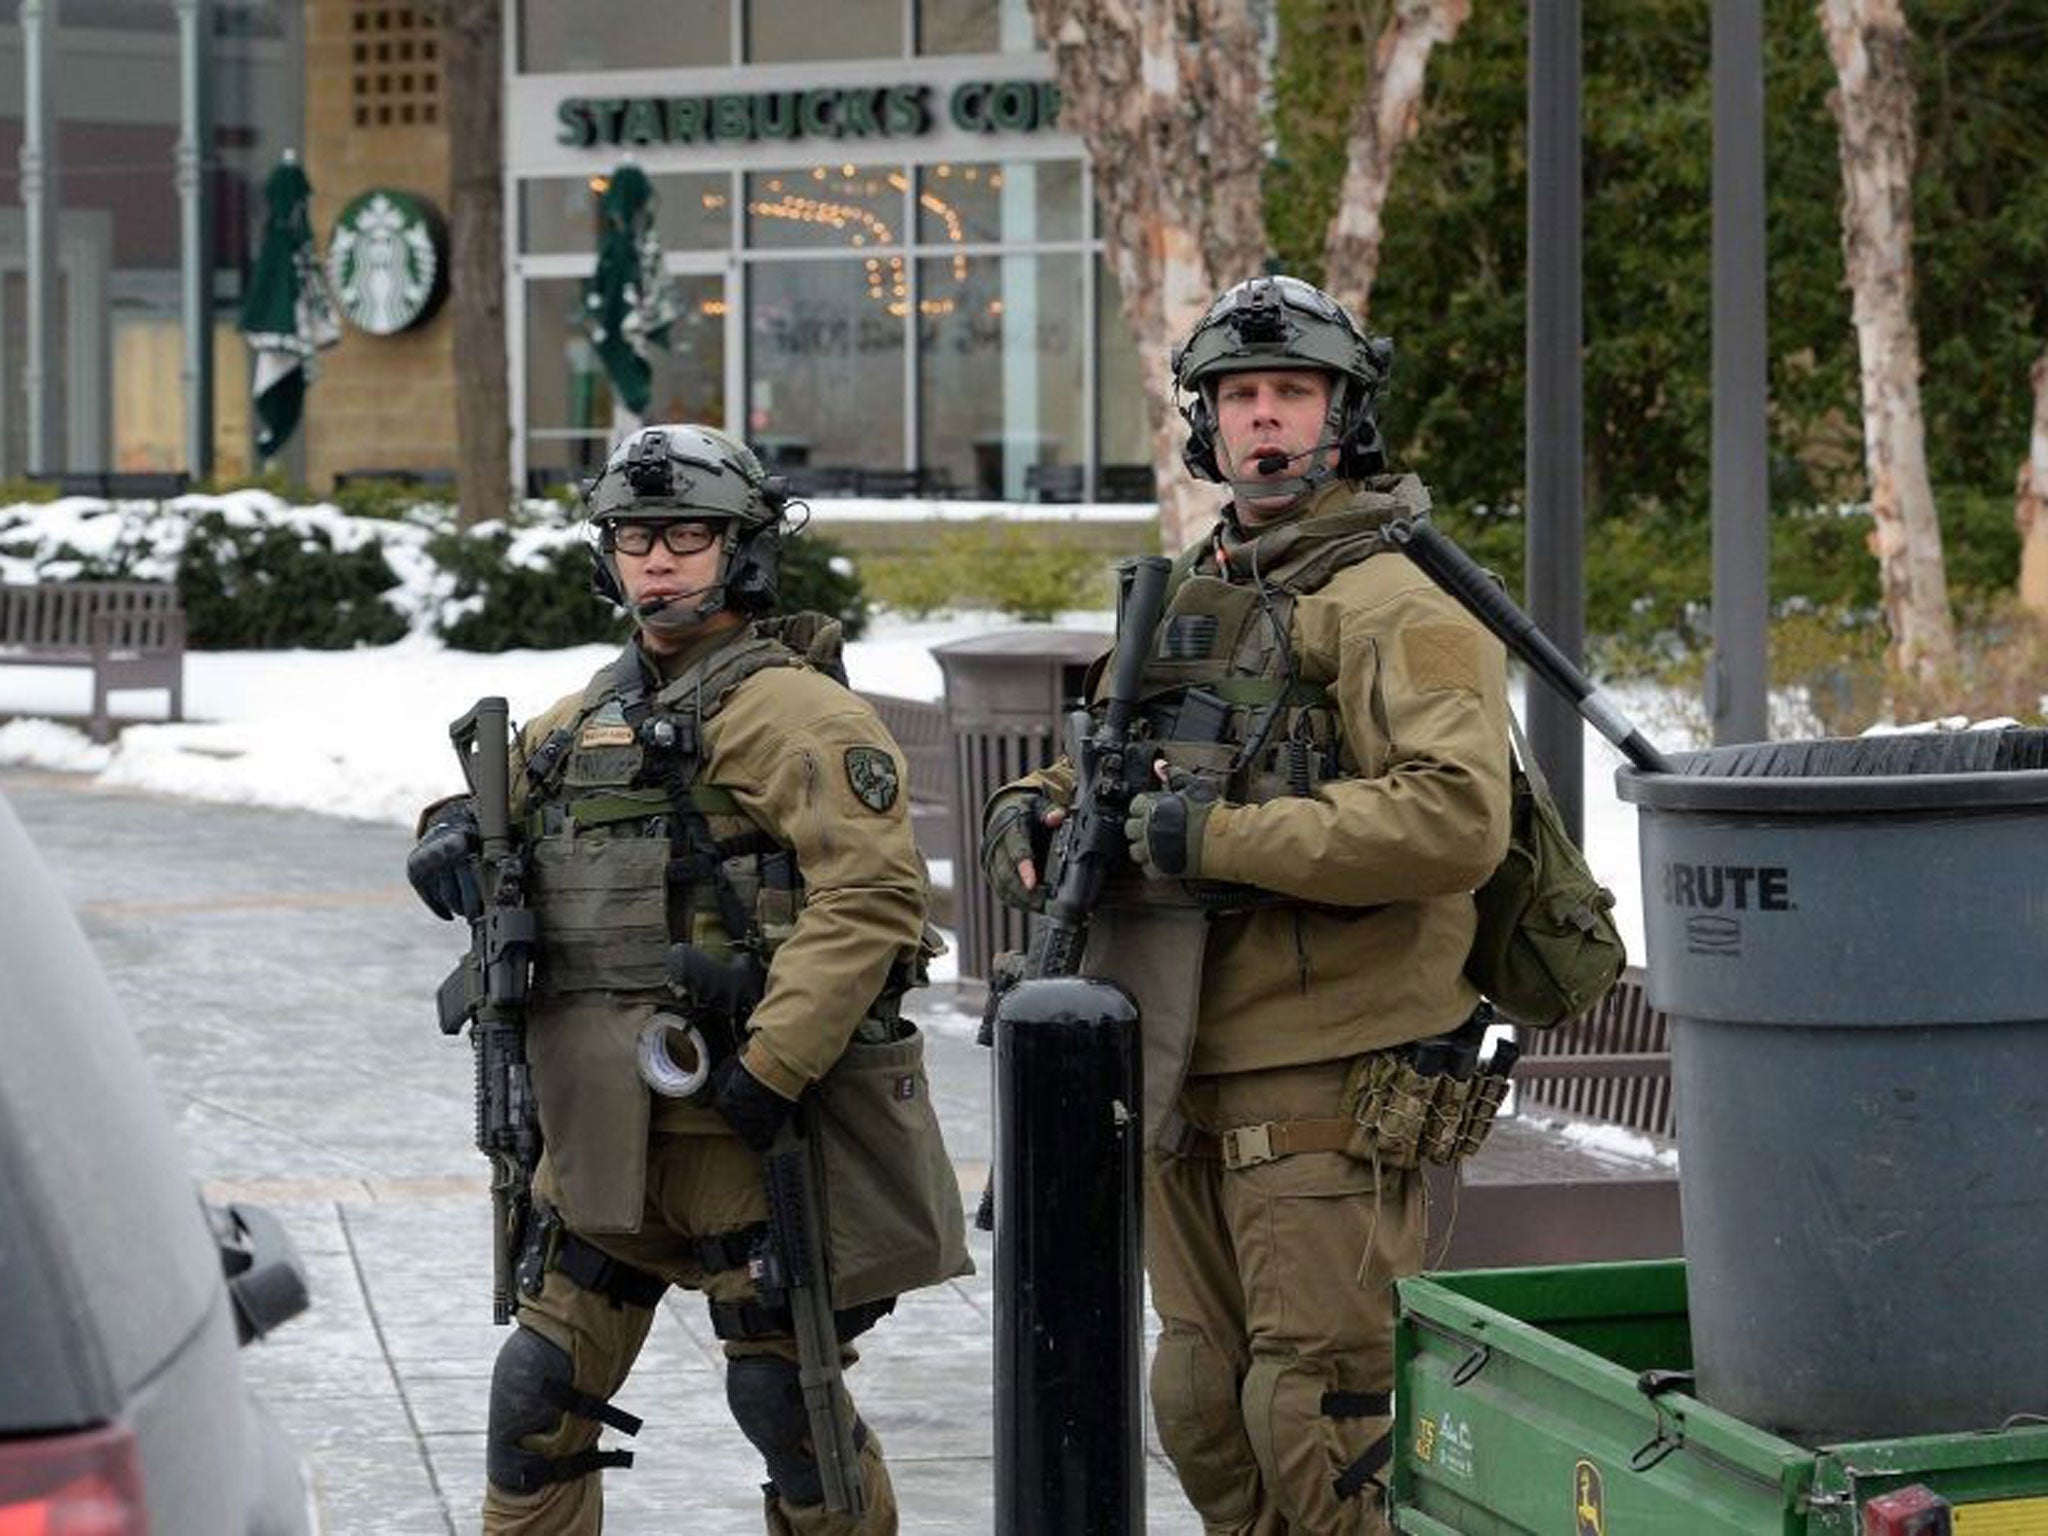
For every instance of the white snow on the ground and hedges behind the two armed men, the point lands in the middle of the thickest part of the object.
(361, 732)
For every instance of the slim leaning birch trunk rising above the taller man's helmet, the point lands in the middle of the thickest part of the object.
(1383, 122)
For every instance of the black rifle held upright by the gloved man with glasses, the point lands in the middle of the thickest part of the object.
(488, 992)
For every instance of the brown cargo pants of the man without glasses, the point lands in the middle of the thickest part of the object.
(1273, 1377)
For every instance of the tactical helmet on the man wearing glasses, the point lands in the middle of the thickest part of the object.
(693, 474)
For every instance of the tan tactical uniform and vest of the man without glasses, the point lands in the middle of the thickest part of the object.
(1363, 830)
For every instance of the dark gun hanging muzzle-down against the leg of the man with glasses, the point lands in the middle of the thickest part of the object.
(794, 1267)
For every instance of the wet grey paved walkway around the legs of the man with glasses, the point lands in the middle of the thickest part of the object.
(282, 980)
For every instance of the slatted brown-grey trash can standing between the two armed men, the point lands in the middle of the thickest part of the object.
(1007, 706)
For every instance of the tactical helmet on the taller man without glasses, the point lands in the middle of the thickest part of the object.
(1281, 323)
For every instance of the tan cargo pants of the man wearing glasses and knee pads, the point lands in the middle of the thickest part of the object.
(697, 1187)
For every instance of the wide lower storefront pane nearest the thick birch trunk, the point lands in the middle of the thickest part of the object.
(1002, 343)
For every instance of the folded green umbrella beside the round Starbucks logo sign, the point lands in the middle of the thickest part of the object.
(288, 312)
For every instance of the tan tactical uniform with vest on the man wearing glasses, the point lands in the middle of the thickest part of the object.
(792, 761)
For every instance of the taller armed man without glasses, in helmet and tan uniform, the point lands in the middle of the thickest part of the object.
(1297, 910)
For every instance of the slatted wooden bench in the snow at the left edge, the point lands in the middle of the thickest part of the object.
(132, 636)
